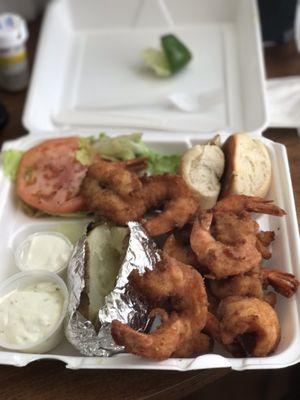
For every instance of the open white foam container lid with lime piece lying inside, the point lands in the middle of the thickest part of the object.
(89, 73)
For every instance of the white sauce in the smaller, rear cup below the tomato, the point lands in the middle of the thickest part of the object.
(44, 250)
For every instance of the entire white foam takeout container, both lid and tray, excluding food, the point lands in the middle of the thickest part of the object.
(87, 58)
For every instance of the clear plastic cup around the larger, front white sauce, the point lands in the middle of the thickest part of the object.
(20, 281)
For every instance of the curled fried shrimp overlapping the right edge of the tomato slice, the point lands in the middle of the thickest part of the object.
(108, 189)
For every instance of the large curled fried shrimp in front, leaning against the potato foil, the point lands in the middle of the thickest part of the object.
(167, 284)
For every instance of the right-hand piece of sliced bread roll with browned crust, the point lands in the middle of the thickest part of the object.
(248, 167)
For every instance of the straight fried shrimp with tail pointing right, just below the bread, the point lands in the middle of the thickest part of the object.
(238, 203)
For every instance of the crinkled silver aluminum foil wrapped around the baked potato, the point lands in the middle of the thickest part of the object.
(121, 304)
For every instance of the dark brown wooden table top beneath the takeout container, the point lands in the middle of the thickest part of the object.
(51, 380)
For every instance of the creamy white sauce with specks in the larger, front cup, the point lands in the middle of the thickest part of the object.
(29, 314)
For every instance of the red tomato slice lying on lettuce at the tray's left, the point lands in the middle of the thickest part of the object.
(49, 176)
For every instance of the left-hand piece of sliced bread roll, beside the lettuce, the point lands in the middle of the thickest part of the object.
(202, 167)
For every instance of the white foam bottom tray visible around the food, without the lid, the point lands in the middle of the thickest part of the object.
(15, 225)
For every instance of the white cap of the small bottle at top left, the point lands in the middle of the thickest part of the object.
(13, 31)
